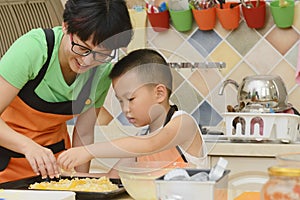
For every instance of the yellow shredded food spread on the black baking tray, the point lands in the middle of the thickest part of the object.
(102, 184)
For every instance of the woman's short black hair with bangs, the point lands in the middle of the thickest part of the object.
(107, 22)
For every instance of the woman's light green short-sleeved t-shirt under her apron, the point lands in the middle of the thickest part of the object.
(25, 58)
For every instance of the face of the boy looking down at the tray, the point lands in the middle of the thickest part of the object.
(137, 99)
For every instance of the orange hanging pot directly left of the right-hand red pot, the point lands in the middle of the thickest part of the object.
(229, 17)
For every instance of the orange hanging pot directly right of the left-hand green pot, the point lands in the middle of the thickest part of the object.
(205, 19)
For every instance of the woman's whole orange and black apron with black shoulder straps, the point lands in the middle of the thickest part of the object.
(44, 122)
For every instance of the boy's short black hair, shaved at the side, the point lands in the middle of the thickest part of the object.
(149, 65)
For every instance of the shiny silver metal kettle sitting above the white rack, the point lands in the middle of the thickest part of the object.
(260, 93)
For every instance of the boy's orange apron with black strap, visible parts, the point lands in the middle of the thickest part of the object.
(173, 154)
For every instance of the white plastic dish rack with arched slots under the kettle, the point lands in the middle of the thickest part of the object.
(282, 127)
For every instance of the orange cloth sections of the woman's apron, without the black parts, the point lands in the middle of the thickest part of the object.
(44, 128)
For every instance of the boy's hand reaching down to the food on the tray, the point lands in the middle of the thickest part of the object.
(73, 157)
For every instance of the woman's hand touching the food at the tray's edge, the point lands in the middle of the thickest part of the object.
(42, 161)
